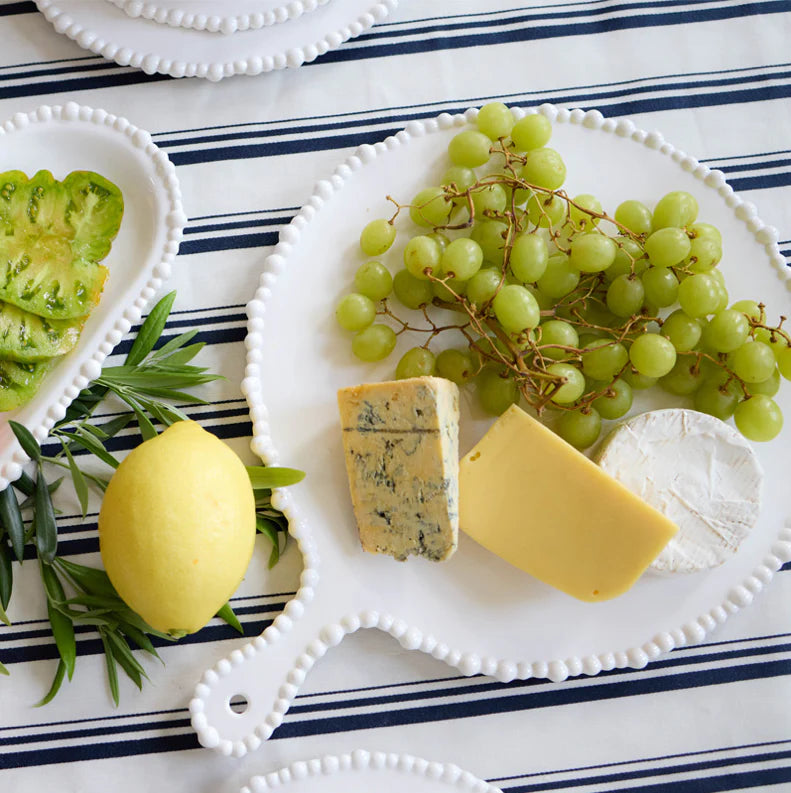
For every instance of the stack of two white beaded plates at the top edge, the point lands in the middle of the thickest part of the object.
(213, 38)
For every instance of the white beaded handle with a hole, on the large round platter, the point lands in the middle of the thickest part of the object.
(243, 698)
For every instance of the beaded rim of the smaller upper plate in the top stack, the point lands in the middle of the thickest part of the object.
(217, 23)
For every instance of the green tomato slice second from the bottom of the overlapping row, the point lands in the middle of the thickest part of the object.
(27, 338)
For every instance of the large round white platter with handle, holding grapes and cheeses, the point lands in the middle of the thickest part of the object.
(475, 611)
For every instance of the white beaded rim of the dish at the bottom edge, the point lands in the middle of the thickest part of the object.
(362, 760)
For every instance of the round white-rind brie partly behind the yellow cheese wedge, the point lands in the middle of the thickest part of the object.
(697, 471)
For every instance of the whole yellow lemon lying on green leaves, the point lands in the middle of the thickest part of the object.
(177, 527)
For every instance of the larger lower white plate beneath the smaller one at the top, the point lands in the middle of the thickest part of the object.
(103, 28)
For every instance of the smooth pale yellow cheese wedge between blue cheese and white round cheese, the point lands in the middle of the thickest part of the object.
(532, 499)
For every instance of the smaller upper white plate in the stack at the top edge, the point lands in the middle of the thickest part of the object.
(220, 16)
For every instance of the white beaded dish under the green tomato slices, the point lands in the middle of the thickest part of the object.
(67, 138)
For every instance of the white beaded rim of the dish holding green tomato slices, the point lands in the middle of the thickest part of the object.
(159, 267)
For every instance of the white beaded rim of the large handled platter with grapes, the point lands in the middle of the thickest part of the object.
(738, 597)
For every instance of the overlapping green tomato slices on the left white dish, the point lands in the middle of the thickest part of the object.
(53, 234)
